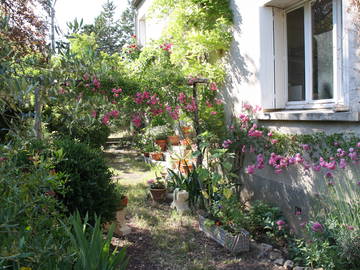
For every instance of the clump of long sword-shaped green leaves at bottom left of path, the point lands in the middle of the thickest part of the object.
(91, 248)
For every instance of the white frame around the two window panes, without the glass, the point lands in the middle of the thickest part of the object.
(338, 93)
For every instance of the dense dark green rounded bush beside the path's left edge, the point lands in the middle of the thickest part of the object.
(89, 186)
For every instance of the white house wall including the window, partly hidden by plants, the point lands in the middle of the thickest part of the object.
(299, 60)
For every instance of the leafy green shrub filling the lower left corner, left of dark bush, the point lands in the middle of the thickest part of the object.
(31, 235)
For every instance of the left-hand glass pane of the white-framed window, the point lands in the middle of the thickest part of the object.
(296, 54)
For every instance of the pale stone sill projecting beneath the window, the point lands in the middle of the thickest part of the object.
(310, 115)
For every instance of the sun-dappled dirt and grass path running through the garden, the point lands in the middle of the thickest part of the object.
(161, 238)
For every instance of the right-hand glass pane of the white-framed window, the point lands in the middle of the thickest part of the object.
(322, 52)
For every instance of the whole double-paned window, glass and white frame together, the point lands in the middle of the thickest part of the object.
(313, 49)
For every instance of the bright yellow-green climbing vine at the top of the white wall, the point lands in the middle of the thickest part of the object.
(200, 34)
